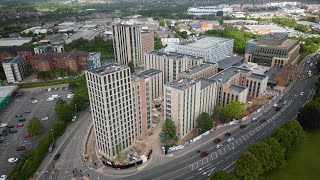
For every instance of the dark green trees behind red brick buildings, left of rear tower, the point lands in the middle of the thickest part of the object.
(98, 44)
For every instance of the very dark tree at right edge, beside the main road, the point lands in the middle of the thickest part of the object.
(310, 113)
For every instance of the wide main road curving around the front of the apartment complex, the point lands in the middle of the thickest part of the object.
(190, 165)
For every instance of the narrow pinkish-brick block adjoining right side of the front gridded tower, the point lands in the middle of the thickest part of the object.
(148, 86)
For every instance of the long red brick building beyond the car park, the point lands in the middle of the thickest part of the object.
(75, 60)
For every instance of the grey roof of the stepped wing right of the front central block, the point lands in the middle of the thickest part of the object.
(225, 75)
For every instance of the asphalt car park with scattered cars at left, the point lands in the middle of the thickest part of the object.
(23, 105)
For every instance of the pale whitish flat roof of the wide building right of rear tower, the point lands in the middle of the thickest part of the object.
(206, 42)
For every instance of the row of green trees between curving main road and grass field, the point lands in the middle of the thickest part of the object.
(267, 155)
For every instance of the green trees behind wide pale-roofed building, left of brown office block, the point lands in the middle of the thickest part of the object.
(240, 37)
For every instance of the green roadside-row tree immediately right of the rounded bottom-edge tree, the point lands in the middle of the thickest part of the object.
(277, 156)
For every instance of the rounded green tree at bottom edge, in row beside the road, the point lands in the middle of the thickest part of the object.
(248, 167)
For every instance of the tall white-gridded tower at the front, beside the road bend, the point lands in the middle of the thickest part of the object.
(111, 94)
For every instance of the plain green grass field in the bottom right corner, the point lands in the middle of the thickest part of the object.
(304, 164)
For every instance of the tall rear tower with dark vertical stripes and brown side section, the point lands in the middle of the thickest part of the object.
(130, 42)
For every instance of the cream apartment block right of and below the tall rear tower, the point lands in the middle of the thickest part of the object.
(171, 64)
